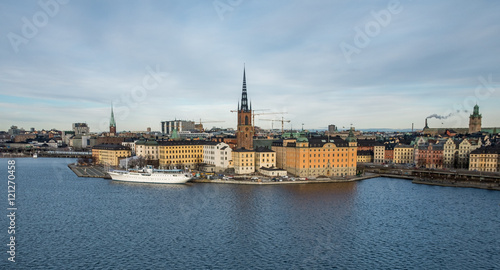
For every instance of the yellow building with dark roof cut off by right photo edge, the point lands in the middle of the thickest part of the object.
(485, 159)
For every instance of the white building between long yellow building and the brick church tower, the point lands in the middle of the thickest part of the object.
(218, 154)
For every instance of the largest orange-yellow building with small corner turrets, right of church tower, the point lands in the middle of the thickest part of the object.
(321, 156)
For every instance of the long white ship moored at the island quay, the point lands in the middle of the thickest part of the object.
(149, 175)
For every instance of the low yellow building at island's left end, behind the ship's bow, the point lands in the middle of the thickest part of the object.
(110, 154)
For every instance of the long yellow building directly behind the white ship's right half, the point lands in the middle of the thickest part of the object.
(180, 154)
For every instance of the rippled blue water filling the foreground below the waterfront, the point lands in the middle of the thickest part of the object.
(66, 222)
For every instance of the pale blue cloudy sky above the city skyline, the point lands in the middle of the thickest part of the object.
(369, 64)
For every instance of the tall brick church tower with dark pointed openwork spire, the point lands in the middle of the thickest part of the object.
(245, 130)
